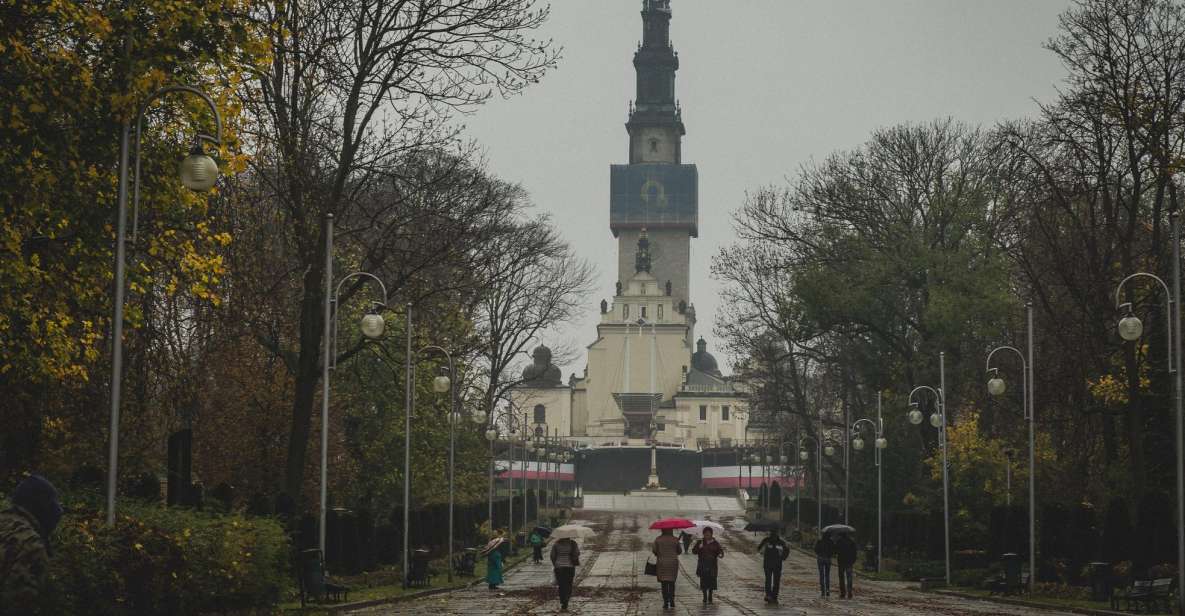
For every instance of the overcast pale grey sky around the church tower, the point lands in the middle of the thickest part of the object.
(766, 87)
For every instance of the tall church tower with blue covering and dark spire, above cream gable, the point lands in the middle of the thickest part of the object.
(656, 191)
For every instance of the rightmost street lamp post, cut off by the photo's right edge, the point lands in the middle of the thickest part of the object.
(1131, 329)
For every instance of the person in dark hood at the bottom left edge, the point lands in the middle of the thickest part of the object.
(25, 530)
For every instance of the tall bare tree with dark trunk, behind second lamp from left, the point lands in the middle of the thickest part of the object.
(353, 88)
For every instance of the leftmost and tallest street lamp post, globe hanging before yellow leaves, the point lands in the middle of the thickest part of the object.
(198, 174)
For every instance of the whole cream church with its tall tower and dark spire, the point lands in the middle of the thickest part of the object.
(649, 381)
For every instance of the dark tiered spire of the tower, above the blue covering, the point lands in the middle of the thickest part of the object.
(656, 121)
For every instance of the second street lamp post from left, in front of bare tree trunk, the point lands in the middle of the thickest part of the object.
(371, 326)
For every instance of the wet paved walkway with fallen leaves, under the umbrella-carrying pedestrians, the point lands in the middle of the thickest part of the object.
(611, 583)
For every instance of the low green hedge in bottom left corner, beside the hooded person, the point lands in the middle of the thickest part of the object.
(158, 561)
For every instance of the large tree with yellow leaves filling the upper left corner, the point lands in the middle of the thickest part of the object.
(74, 70)
